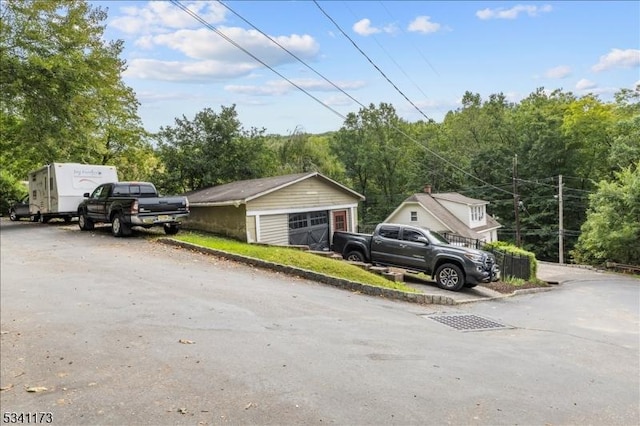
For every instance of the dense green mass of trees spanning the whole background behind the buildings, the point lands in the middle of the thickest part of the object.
(63, 100)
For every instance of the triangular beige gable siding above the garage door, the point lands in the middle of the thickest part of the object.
(309, 193)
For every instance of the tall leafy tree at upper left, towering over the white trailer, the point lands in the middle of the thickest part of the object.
(63, 98)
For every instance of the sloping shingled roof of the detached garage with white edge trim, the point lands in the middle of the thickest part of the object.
(246, 190)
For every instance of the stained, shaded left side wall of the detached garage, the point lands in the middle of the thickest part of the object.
(229, 221)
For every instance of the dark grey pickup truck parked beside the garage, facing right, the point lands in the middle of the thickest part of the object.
(419, 249)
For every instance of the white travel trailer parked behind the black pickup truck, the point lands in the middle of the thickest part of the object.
(56, 190)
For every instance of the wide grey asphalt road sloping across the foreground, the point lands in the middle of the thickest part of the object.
(127, 331)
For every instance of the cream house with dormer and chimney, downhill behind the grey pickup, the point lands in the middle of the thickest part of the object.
(449, 213)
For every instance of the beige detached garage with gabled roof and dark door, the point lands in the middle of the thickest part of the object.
(299, 209)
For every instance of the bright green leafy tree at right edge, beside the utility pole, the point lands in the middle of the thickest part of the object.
(612, 229)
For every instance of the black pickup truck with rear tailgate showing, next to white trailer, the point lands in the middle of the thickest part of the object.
(127, 204)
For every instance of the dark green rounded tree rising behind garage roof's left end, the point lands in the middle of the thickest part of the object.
(211, 149)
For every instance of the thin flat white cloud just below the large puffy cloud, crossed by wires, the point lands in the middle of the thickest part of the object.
(281, 87)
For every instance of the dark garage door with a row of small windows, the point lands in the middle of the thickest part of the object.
(309, 229)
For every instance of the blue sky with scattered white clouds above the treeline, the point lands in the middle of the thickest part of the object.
(302, 66)
